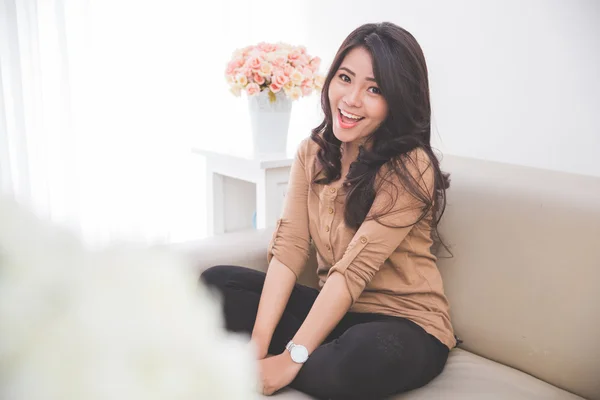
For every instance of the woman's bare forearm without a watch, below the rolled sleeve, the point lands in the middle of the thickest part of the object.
(276, 292)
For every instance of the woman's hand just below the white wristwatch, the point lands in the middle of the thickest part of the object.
(277, 372)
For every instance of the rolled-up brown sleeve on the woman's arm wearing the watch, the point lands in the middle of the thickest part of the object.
(376, 239)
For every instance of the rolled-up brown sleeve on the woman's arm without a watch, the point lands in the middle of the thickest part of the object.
(290, 243)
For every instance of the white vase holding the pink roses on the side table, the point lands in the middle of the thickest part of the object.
(270, 121)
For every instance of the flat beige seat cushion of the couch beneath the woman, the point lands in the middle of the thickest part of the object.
(470, 377)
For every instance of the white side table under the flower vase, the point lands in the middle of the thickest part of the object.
(238, 186)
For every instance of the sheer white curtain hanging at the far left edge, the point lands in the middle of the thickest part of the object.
(36, 141)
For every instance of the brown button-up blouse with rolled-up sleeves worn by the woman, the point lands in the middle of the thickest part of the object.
(388, 270)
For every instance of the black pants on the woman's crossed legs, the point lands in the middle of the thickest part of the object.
(366, 357)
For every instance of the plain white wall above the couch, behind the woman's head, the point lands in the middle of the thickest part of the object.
(513, 81)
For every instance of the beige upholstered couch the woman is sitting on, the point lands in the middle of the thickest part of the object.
(524, 282)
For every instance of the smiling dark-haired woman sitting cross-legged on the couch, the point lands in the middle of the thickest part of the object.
(366, 189)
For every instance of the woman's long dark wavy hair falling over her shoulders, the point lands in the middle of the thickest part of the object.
(401, 74)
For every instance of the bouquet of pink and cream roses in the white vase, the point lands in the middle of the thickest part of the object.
(274, 67)
